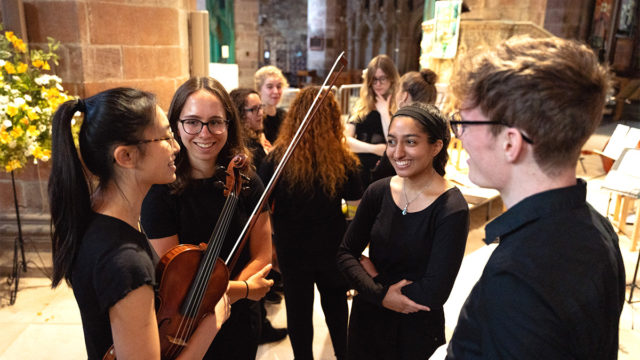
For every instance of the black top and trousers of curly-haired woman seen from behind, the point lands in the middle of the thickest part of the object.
(308, 228)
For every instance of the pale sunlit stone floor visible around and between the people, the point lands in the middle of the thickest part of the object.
(45, 323)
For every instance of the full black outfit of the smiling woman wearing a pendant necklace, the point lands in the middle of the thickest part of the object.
(425, 247)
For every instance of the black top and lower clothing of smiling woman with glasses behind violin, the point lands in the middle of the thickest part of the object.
(192, 216)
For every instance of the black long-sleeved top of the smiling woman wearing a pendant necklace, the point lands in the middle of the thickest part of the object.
(425, 247)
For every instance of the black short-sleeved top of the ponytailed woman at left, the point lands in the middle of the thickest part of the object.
(112, 259)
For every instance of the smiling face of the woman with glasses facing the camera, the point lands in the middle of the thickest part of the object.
(202, 148)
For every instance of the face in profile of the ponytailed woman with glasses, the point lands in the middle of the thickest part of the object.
(158, 165)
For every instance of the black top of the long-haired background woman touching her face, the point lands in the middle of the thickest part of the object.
(369, 130)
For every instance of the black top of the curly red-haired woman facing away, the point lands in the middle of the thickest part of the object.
(308, 227)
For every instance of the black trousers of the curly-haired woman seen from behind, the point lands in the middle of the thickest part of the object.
(299, 296)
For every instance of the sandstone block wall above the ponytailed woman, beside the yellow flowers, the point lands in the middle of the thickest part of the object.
(104, 44)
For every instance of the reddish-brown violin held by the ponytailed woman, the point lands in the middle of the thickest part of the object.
(182, 304)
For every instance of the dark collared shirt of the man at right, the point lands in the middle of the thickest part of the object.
(552, 289)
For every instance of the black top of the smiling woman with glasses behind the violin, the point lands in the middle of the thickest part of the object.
(193, 213)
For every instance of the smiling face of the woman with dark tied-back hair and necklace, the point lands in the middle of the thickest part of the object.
(409, 149)
